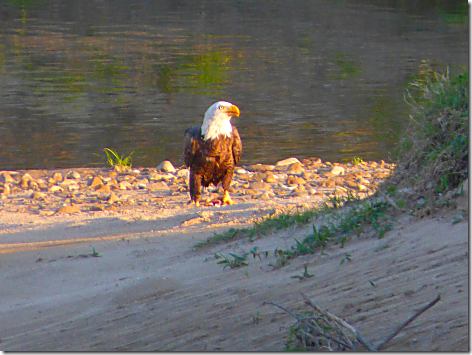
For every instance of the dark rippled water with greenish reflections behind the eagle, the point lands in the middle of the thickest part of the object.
(318, 78)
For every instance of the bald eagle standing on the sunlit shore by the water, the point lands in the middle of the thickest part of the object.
(212, 150)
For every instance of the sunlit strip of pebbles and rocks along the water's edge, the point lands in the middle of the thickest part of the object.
(93, 190)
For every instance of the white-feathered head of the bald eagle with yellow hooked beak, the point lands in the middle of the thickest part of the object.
(217, 120)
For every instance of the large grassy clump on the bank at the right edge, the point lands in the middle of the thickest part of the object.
(433, 154)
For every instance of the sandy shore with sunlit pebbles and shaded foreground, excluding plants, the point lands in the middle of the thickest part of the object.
(149, 289)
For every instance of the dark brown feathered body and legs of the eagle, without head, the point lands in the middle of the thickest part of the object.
(210, 161)
